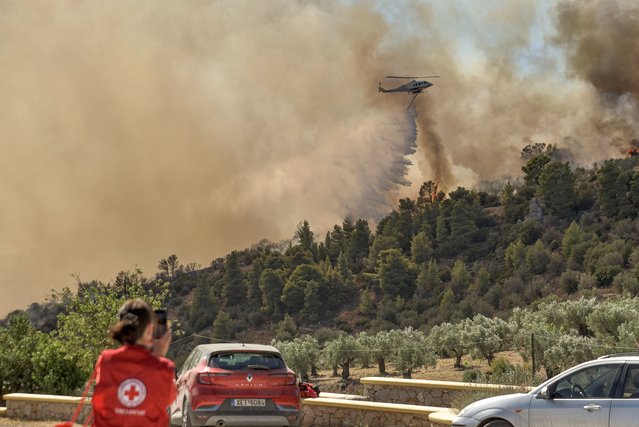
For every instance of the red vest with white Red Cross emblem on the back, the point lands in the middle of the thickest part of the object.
(133, 388)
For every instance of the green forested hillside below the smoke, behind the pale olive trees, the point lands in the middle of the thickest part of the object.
(558, 233)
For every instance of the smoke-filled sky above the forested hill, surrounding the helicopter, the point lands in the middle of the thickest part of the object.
(131, 131)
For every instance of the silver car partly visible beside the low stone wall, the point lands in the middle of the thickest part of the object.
(598, 393)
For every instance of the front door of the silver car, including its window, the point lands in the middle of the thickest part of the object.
(581, 398)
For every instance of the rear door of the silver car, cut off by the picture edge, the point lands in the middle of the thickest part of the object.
(625, 405)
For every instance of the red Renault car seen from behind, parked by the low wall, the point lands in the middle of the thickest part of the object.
(236, 385)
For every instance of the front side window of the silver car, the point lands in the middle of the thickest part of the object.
(593, 381)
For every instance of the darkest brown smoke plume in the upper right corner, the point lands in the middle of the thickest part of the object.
(600, 38)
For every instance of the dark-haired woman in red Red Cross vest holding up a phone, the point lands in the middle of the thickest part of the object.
(135, 383)
